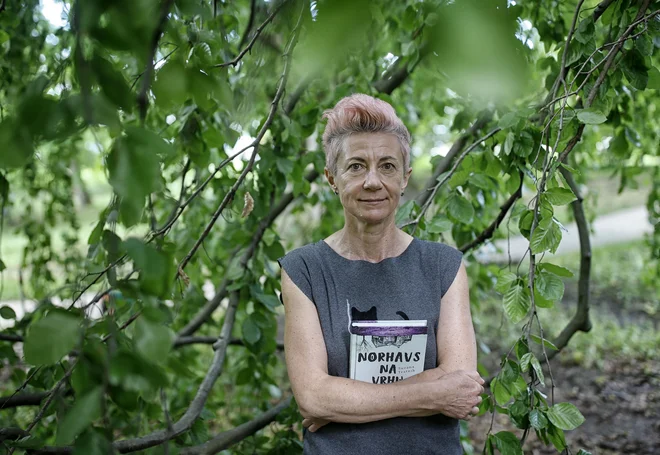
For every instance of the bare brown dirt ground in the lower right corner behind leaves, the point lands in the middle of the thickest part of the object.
(621, 404)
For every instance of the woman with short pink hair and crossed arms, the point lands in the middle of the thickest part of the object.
(381, 273)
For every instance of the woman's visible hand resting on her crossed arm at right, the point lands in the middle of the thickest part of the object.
(457, 394)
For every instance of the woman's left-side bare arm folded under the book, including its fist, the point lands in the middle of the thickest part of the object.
(324, 397)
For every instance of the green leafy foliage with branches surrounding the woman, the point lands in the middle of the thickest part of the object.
(203, 116)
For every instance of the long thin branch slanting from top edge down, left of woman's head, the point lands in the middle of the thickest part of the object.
(248, 168)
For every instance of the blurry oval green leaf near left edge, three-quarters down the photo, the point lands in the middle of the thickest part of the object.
(51, 338)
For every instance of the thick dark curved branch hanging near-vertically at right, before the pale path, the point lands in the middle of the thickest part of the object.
(580, 321)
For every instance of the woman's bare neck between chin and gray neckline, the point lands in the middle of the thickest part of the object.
(369, 242)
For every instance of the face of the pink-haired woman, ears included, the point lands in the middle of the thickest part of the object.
(370, 176)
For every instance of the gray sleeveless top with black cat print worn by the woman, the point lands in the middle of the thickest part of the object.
(408, 286)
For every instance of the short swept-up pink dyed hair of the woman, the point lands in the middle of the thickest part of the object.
(360, 113)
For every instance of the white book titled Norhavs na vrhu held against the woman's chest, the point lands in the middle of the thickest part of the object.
(383, 352)
